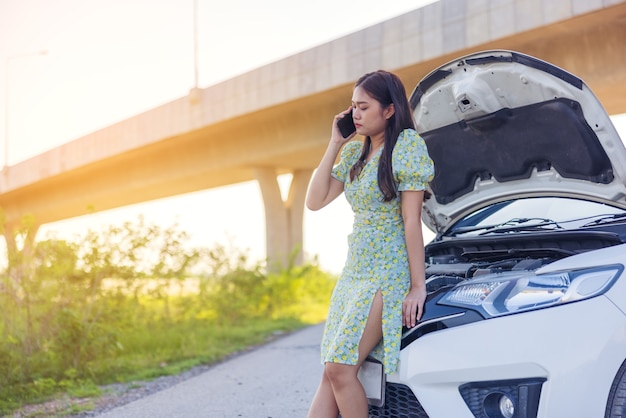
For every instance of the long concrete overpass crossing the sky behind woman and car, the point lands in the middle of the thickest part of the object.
(276, 119)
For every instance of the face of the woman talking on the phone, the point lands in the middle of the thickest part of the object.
(369, 116)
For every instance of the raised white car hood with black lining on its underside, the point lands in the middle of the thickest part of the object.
(502, 125)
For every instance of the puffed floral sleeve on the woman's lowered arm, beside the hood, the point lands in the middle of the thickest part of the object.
(412, 166)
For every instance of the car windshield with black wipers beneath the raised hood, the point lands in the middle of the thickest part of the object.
(532, 214)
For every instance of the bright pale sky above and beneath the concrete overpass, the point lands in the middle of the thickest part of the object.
(75, 66)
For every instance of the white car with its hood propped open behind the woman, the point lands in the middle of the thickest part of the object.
(526, 313)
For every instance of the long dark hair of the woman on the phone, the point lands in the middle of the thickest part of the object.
(387, 89)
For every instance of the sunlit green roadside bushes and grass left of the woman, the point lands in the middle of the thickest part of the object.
(135, 300)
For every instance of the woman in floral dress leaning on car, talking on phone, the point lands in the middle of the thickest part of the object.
(382, 284)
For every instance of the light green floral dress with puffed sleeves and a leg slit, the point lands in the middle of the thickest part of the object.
(377, 256)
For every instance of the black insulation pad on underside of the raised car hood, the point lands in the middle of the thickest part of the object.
(510, 143)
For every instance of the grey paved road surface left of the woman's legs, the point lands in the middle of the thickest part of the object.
(277, 380)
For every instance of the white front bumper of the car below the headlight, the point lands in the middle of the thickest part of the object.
(517, 348)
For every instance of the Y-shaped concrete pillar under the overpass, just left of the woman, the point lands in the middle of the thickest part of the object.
(283, 218)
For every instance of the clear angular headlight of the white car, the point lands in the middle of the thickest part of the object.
(514, 292)
